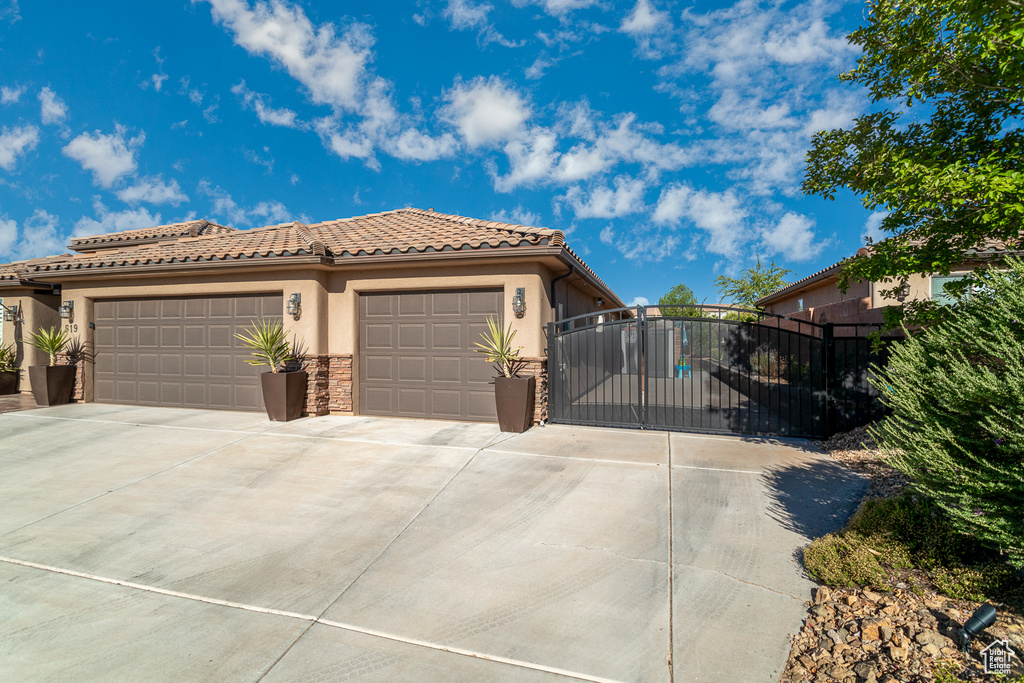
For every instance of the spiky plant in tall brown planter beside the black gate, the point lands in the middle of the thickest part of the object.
(514, 395)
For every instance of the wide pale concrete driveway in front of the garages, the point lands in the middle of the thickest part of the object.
(158, 544)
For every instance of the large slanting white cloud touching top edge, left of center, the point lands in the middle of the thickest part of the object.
(329, 61)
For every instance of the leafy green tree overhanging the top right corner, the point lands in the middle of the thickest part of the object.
(944, 156)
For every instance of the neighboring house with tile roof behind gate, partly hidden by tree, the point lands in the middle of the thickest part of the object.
(818, 300)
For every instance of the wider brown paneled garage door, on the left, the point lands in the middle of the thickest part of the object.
(180, 353)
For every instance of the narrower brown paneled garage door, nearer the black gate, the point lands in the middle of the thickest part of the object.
(417, 359)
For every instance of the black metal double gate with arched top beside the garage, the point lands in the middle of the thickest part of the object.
(766, 375)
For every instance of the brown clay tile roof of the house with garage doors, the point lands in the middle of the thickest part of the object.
(400, 234)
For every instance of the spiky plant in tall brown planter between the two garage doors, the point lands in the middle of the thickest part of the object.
(284, 392)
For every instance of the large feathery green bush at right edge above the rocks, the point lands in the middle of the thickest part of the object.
(957, 426)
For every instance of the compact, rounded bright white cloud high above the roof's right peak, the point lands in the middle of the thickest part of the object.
(487, 112)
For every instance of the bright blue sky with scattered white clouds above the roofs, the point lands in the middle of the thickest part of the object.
(666, 139)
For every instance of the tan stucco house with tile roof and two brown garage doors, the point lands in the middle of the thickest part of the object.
(391, 306)
